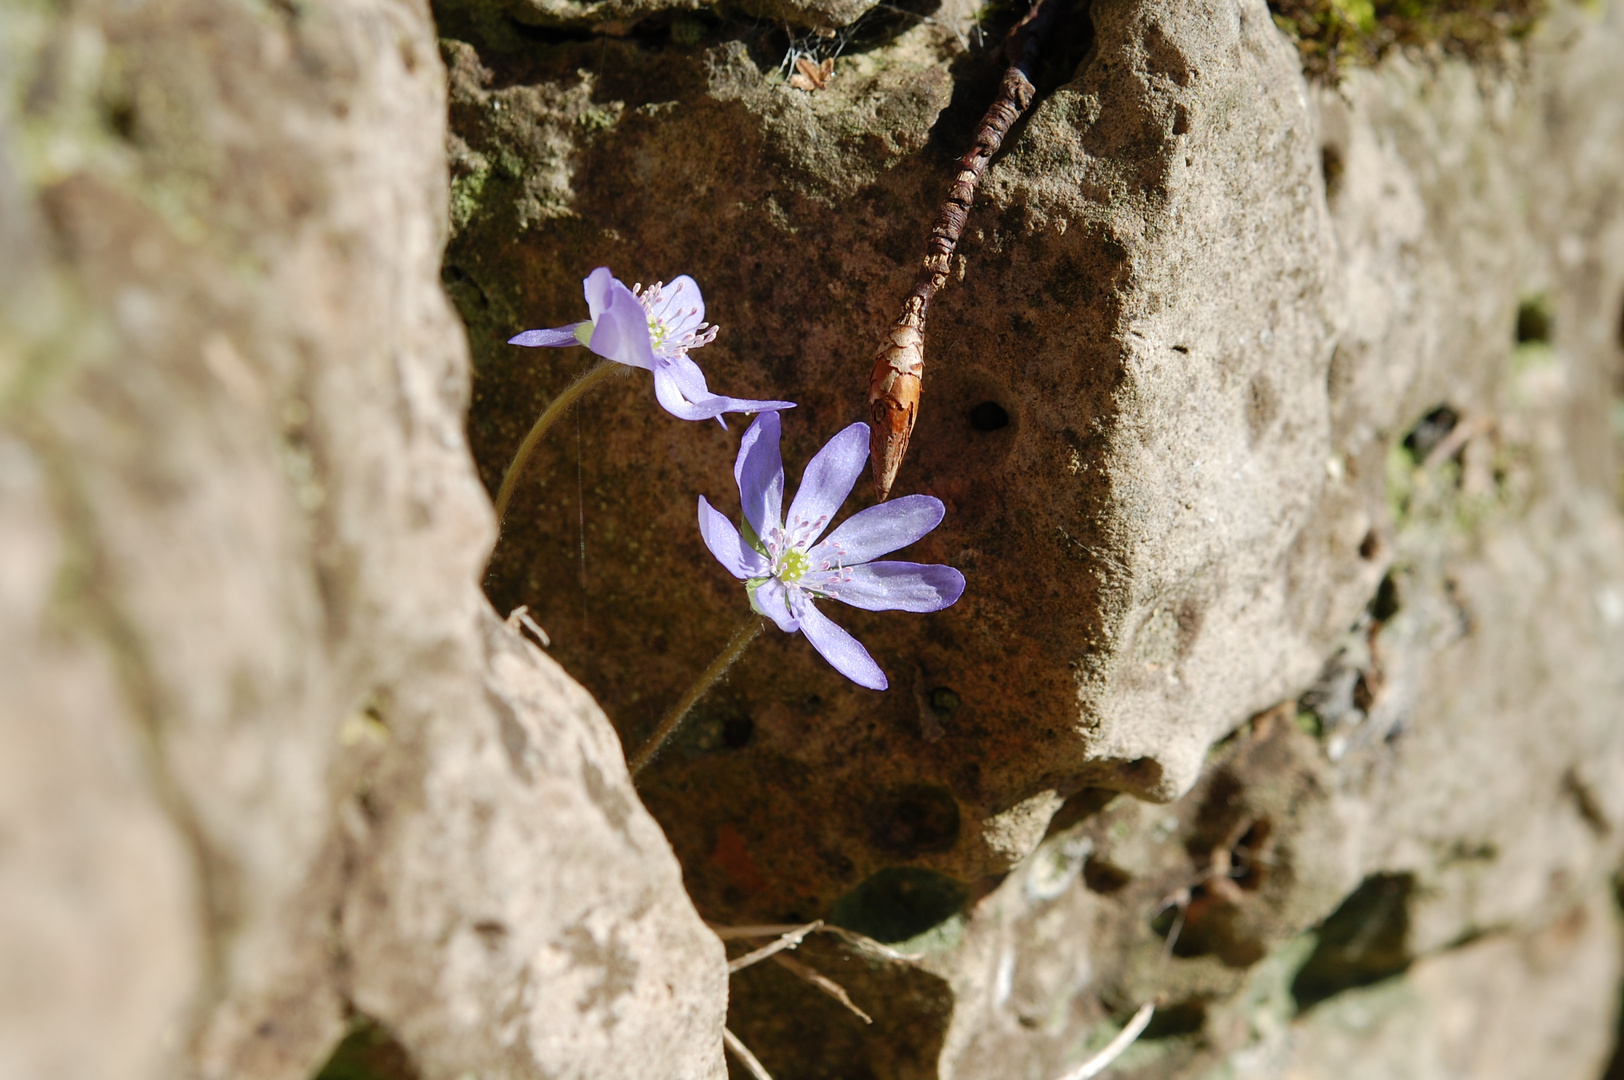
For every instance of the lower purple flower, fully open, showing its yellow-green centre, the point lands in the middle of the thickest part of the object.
(785, 568)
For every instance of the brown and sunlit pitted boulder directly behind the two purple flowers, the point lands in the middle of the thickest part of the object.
(1138, 521)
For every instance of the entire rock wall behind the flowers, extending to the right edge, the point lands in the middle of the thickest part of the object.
(1219, 306)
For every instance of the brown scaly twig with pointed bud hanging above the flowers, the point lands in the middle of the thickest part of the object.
(899, 366)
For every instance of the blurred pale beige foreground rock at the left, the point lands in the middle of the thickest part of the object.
(274, 766)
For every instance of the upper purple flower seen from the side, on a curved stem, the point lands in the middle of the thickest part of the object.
(652, 330)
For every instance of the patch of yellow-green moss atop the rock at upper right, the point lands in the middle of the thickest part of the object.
(1334, 35)
